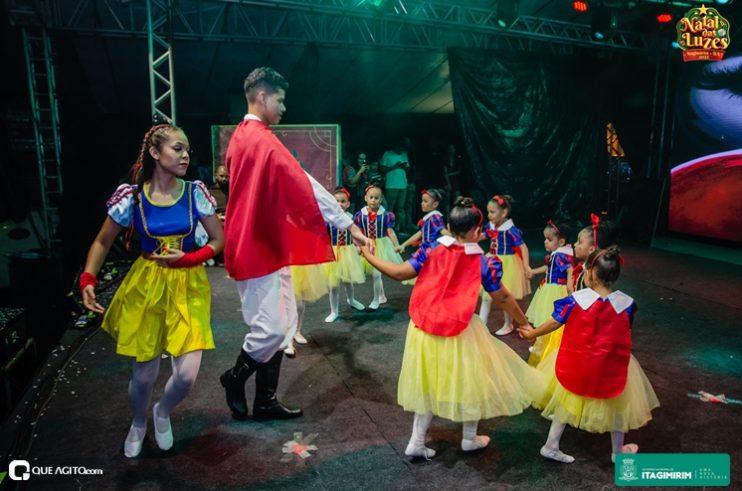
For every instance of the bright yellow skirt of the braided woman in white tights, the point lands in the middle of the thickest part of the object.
(157, 309)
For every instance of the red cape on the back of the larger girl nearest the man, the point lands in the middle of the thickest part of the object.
(446, 291)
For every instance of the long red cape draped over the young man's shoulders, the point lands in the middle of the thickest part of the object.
(272, 218)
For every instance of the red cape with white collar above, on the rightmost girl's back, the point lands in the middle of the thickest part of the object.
(593, 359)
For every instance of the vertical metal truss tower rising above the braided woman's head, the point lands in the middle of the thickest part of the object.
(160, 57)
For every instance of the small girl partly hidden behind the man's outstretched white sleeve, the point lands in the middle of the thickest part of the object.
(347, 269)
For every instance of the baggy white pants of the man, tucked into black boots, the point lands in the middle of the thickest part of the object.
(269, 309)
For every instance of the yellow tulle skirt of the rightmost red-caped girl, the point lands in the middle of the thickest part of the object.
(630, 410)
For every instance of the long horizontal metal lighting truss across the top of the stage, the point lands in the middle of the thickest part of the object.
(403, 24)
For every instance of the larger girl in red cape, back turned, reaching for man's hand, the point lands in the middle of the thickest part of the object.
(452, 366)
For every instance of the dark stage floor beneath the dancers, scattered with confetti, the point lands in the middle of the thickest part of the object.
(687, 337)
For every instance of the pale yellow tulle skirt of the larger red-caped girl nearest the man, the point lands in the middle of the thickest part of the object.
(467, 377)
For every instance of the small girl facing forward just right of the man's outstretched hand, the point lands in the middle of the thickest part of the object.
(377, 225)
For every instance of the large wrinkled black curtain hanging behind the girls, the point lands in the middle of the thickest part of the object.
(534, 128)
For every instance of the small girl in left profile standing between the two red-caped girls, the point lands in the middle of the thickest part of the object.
(556, 285)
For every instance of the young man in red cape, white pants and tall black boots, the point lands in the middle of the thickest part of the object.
(275, 218)
